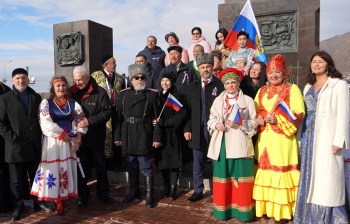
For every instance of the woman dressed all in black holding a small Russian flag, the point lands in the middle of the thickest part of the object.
(169, 157)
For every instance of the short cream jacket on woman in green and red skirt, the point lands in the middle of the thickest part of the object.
(238, 141)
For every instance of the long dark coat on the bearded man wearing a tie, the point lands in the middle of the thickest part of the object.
(212, 90)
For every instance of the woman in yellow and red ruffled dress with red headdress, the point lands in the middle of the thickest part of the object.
(280, 109)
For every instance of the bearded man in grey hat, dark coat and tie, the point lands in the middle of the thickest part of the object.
(200, 98)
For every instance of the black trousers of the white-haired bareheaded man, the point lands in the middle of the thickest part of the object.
(96, 157)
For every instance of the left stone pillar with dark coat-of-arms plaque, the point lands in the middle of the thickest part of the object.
(80, 43)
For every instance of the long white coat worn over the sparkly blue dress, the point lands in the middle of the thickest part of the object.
(327, 185)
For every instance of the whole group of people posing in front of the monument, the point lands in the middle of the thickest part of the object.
(276, 152)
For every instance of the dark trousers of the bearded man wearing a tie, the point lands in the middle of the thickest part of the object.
(199, 158)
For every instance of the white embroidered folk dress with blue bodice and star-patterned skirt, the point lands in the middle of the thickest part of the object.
(56, 177)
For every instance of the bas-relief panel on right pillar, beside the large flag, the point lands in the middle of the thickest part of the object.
(278, 32)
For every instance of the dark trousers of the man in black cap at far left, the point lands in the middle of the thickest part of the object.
(17, 170)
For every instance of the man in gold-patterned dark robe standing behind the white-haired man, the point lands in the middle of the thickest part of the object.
(112, 82)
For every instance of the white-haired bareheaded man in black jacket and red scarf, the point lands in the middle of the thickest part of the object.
(97, 109)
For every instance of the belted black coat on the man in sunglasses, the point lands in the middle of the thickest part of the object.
(137, 137)
